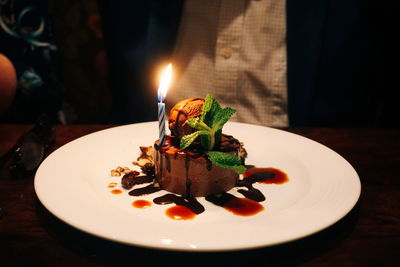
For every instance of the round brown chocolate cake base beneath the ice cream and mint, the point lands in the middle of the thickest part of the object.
(190, 173)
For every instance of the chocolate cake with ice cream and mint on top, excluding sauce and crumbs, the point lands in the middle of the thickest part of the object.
(189, 170)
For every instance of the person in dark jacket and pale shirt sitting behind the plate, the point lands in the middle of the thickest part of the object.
(279, 63)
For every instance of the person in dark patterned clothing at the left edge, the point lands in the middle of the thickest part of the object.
(27, 63)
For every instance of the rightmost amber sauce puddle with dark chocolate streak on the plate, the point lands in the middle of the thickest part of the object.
(267, 175)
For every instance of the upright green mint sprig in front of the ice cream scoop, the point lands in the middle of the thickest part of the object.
(210, 123)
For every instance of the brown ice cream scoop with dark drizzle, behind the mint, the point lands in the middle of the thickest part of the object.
(181, 112)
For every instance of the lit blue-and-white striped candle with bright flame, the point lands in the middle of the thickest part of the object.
(162, 92)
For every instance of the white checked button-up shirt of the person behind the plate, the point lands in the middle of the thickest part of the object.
(235, 50)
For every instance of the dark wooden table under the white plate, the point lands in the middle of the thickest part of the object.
(368, 235)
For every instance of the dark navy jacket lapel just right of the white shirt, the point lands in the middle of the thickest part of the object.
(305, 28)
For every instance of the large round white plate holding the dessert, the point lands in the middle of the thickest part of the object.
(72, 184)
